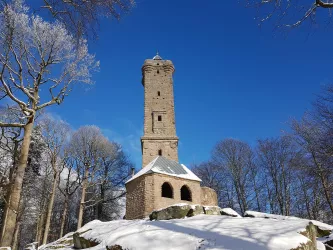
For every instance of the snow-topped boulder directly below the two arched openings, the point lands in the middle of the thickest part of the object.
(172, 212)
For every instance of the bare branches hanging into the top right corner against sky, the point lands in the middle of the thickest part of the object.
(290, 14)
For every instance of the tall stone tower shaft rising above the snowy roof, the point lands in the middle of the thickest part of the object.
(159, 111)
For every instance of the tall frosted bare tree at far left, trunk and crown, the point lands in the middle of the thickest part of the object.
(35, 55)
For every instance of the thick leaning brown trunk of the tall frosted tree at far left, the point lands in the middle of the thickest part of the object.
(9, 229)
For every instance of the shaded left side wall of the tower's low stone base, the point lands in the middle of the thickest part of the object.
(135, 198)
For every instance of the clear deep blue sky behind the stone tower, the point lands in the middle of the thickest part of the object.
(232, 79)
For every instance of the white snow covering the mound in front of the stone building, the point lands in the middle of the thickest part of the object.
(204, 231)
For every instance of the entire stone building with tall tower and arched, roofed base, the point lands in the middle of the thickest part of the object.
(162, 181)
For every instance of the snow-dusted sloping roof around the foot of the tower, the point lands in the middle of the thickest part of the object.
(166, 166)
